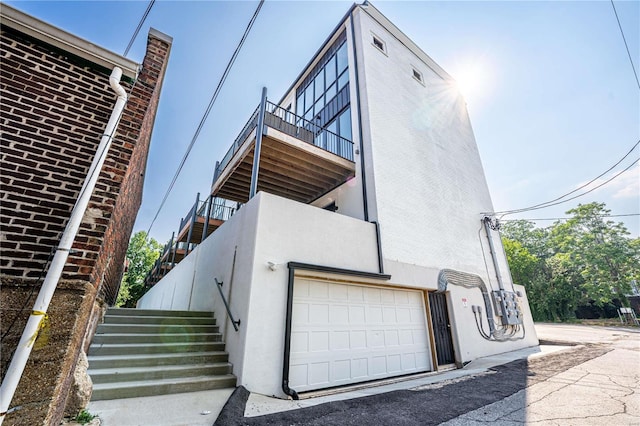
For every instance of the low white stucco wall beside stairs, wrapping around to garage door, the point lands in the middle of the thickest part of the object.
(267, 229)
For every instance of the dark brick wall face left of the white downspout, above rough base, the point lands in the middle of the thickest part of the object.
(52, 115)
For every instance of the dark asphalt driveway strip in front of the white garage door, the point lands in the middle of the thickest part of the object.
(429, 405)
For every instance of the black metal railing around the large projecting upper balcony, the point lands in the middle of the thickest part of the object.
(287, 122)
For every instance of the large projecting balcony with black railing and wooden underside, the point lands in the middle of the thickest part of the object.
(299, 160)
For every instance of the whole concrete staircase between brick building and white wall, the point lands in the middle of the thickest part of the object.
(138, 352)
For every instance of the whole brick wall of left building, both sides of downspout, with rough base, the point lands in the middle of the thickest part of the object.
(53, 111)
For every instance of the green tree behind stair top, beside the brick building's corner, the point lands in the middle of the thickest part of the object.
(141, 255)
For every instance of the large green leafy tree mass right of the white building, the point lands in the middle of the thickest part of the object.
(585, 260)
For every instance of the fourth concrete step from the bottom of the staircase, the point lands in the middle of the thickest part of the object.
(154, 348)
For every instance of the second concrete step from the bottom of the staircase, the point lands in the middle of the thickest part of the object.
(131, 374)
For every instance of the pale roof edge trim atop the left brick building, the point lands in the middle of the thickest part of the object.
(65, 41)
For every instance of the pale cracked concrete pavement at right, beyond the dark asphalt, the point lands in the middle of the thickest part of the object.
(604, 390)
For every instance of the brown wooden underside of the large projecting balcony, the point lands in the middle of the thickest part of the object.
(289, 167)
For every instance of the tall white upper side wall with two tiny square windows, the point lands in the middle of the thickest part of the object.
(430, 188)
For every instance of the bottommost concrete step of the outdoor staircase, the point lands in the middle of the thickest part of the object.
(106, 391)
